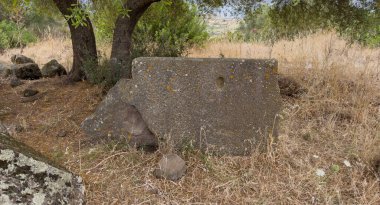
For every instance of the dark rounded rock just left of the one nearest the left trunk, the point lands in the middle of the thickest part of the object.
(28, 71)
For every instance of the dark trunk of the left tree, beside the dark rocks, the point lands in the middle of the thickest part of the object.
(83, 42)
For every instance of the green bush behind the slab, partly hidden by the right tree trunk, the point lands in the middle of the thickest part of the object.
(167, 28)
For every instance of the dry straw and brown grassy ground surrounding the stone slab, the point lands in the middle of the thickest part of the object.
(335, 122)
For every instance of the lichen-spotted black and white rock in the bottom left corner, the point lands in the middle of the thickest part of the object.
(26, 177)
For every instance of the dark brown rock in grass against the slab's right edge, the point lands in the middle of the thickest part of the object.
(290, 87)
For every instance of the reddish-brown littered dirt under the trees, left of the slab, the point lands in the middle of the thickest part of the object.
(61, 109)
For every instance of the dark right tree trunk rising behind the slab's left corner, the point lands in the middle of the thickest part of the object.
(122, 37)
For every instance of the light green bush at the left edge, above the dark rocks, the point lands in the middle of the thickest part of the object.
(12, 35)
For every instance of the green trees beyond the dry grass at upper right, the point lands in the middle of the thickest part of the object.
(359, 23)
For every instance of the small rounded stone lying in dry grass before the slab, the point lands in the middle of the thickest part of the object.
(171, 167)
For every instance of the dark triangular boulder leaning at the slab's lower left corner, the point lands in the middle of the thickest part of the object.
(116, 120)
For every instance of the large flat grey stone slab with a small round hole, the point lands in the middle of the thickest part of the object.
(225, 106)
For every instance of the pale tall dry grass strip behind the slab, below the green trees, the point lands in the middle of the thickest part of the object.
(322, 50)
